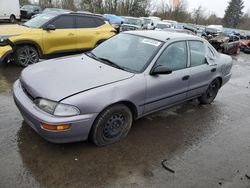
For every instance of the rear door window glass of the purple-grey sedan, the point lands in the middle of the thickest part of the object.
(198, 52)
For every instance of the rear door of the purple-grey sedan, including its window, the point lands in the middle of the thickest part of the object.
(201, 71)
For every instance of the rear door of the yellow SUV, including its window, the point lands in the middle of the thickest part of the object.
(88, 31)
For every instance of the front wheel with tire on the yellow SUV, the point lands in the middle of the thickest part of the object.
(26, 55)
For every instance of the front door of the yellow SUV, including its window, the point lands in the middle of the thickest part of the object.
(62, 39)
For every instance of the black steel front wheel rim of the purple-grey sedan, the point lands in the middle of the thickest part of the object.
(114, 126)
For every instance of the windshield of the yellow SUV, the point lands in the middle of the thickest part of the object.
(38, 21)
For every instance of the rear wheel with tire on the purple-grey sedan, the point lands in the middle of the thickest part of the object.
(211, 92)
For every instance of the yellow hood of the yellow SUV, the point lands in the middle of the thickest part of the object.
(14, 30)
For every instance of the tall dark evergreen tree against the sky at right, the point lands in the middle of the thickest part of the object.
(233, 13)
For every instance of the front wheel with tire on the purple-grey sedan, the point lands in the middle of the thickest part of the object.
(111, 125)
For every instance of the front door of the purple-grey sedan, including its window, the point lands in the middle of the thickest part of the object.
(164, 90)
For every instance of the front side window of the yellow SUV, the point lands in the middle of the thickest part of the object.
(64, 22)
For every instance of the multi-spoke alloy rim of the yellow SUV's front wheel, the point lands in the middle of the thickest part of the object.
(28, 56)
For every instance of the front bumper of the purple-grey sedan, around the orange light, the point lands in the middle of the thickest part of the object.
(79, 125)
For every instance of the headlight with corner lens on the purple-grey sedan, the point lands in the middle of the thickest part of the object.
(57, 109)
